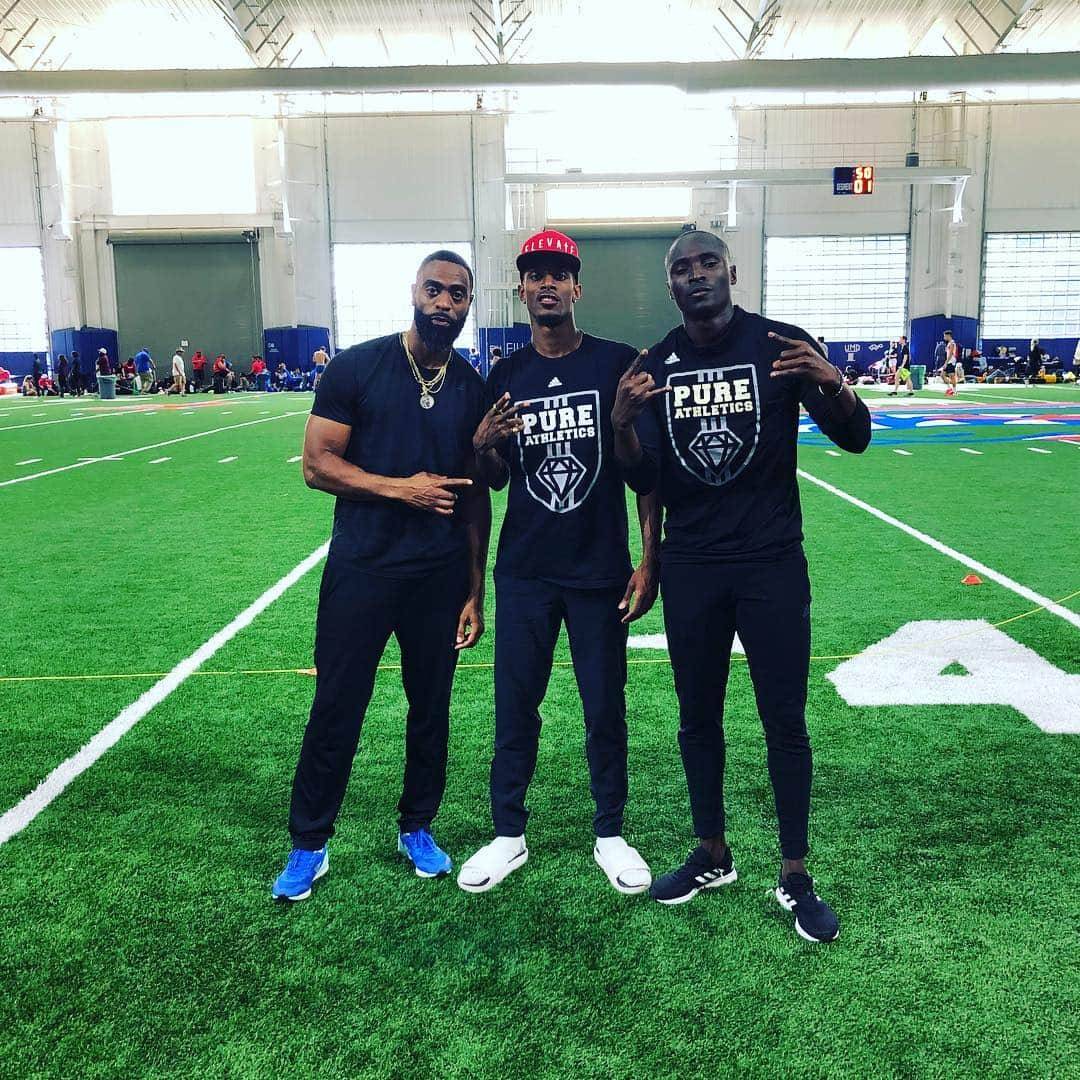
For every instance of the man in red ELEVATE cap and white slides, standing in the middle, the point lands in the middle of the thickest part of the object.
(561, 422)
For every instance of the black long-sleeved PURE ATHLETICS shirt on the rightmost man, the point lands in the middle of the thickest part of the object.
(726, 438)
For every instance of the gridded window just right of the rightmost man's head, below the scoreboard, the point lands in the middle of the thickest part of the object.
(845, 289)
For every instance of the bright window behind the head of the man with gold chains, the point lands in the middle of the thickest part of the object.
(372, 286)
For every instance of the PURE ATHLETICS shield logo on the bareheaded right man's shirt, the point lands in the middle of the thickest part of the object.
(714, 421)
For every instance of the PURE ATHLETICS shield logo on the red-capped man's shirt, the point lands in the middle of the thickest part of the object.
(561, 449)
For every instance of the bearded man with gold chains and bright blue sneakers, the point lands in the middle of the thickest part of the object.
(390, 436)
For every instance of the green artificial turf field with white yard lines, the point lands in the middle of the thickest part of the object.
(138, 937)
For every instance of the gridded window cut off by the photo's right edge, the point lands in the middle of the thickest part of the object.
(1031, 286)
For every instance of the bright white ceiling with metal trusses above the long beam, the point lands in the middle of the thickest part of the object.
(44, 35)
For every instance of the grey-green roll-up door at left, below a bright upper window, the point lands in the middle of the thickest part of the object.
(204, 293)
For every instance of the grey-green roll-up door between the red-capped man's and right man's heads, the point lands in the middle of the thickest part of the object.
(625, 291)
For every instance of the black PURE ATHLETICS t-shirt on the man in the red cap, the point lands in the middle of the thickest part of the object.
(566, 512)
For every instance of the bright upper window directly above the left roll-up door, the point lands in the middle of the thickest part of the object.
(190, 166)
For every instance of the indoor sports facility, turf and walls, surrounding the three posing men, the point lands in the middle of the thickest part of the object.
(260, 180)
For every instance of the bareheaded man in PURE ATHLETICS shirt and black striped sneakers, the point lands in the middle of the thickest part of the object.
(733, 553)
